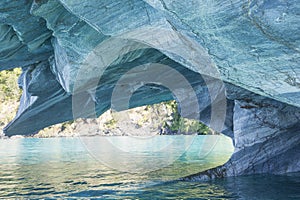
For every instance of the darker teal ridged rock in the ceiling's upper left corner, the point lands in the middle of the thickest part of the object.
(24, 38)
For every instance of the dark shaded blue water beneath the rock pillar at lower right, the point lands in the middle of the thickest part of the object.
(247, 187)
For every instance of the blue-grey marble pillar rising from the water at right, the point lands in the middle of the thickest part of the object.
(266, 140)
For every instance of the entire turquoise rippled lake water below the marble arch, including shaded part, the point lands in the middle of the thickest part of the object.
(129, 168)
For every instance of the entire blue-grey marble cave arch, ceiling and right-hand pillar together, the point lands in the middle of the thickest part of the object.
(233, 65)
